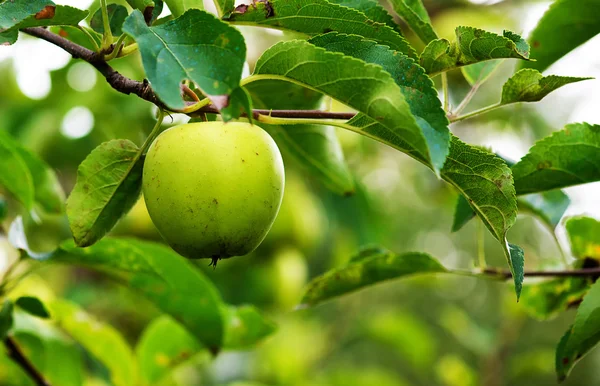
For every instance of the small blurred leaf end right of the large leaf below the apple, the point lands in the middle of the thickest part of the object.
(245, 327)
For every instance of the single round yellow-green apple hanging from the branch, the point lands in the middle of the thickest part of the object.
(212, 189)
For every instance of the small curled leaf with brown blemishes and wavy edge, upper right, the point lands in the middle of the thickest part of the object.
(472, 45)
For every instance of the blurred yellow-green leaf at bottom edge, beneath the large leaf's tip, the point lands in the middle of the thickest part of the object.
(163, 346)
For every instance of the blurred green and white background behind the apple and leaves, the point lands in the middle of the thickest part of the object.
(447, 331)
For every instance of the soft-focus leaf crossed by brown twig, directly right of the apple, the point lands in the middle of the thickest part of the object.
(315, 147)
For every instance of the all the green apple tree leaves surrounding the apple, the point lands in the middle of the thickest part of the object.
(349, 51)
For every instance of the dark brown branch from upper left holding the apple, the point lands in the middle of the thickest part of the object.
(143, 90)
